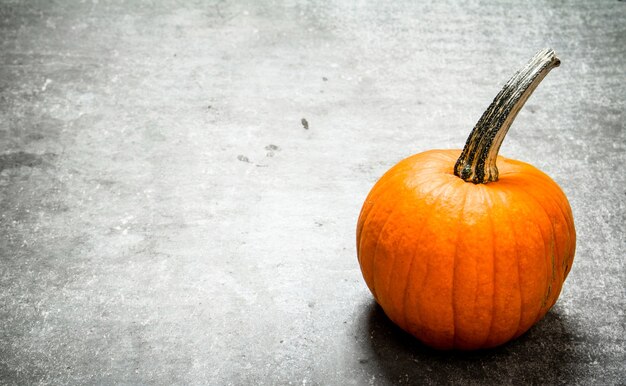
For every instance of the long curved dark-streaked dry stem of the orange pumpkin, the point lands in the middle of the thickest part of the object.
(477, 162)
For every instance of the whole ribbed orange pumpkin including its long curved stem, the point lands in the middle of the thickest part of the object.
(466, 249)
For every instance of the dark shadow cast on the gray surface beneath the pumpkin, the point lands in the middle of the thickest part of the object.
(546, 354)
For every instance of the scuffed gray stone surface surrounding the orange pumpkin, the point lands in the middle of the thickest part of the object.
(167, 218)
